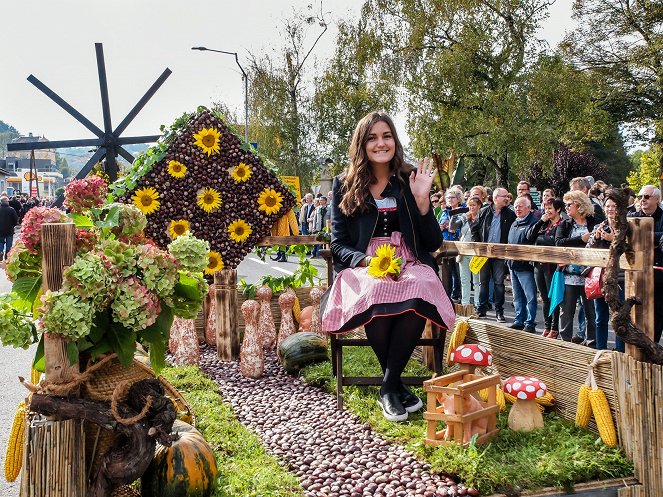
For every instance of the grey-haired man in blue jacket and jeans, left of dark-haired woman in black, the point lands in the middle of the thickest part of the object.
(522, 272)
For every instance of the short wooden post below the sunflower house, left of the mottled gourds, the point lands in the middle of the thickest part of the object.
(227, 329)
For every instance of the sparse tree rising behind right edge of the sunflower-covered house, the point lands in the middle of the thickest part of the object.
(279, 103)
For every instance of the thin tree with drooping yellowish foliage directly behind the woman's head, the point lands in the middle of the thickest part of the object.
(352, 84)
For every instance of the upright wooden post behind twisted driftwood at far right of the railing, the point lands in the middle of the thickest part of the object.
(641, 283)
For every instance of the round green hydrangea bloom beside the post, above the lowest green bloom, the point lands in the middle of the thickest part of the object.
(90, 277)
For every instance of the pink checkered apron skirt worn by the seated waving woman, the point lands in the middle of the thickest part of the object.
(356, 298)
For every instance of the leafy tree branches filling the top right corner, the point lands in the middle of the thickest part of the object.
(622, 42)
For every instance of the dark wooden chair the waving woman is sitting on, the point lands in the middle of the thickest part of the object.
(436, 341)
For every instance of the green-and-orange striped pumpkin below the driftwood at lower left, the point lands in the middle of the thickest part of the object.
(185, 469)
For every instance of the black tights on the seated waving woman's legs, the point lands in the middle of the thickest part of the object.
(393, 339)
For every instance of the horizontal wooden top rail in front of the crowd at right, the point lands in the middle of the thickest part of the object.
(561, 255)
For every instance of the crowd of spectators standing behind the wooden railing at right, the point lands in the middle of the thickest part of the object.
(580, 217)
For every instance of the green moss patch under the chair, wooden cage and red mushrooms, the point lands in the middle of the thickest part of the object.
(557, 455)
